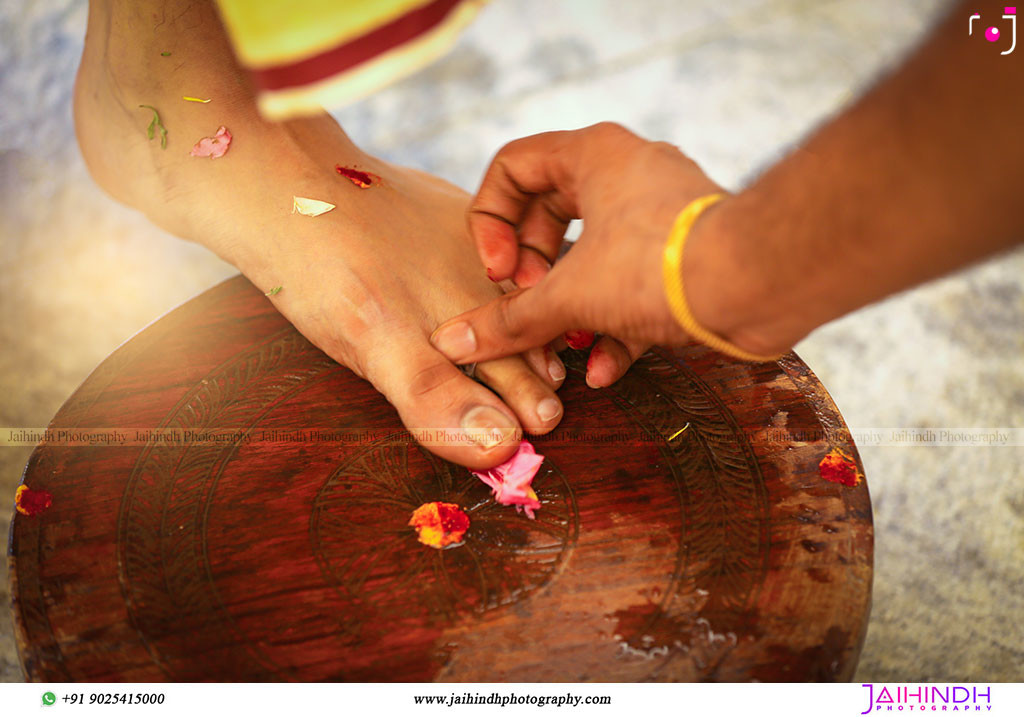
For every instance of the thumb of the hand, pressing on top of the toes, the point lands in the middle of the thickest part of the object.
(510, 324)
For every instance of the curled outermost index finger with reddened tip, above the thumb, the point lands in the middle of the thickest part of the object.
(522, 170)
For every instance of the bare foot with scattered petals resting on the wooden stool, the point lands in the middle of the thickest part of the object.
(367, 282)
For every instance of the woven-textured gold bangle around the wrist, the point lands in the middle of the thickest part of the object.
(672, 275)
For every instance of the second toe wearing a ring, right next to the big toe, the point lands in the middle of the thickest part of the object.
(525, 392)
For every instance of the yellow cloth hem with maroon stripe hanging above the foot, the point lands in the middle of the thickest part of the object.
(305, 55)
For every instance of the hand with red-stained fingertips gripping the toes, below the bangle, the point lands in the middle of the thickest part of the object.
(629, 192)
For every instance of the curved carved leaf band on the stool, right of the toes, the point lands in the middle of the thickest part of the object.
(724, 508)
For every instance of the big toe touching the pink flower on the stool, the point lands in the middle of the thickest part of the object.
(448, 412)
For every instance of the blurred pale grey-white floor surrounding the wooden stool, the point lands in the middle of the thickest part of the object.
(735, 86)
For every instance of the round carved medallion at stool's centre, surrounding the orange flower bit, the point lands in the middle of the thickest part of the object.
(504, 559)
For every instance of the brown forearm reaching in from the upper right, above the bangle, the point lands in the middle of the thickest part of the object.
(920, 178)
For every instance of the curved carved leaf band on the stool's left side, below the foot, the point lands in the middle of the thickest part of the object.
(163, 558)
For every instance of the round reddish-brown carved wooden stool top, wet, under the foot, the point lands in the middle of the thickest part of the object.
(268, 541)
